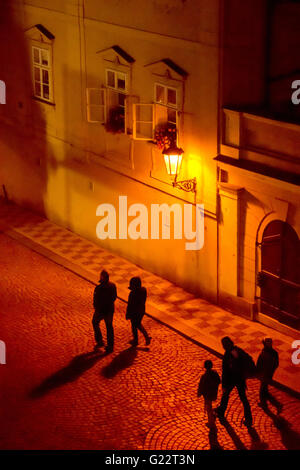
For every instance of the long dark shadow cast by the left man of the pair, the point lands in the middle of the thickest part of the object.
(71, 372)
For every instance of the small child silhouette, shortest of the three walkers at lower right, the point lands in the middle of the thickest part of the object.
(208, 388)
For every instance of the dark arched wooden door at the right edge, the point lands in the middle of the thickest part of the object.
(279, 278)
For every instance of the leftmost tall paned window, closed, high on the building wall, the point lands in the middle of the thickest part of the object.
(42, 73)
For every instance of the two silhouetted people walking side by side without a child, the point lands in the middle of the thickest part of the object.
(105, 294)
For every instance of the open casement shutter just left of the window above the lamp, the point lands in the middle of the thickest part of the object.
(143, 121)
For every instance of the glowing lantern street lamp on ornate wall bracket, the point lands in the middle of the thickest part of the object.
(173, 159)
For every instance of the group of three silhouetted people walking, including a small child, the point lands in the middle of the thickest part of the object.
(237, 366)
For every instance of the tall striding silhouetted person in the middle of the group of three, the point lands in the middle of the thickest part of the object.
(234, 373)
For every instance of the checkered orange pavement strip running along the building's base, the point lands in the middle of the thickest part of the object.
(196, 318)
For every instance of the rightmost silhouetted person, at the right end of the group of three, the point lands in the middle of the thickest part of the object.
(267, 363)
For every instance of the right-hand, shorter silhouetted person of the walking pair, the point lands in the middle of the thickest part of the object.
(136, 309)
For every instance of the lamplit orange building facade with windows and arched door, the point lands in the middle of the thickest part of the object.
(95, 89)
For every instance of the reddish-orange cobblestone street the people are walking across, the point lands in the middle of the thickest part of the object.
(58, 393)
